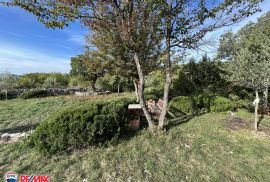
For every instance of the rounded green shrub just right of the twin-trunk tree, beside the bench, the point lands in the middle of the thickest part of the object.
(184, 104)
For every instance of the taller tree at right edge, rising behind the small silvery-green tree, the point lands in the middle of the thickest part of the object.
(254, 37)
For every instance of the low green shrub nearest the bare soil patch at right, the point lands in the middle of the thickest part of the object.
(220, 104)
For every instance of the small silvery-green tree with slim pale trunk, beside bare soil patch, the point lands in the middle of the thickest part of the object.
(251, 70)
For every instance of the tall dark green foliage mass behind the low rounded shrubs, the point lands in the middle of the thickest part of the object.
(201, 76)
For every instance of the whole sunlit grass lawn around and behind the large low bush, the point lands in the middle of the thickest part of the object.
(209, 147)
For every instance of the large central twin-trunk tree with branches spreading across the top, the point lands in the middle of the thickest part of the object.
(184, 24)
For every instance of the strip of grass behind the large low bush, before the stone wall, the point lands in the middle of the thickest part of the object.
(22, 115)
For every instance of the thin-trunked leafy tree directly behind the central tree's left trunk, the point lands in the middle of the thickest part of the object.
(111, 47)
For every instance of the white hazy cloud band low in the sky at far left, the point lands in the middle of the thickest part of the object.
(21, 60)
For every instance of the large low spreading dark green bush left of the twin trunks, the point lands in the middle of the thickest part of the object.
(81, 125)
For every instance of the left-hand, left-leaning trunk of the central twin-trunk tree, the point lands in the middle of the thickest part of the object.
(140, 92)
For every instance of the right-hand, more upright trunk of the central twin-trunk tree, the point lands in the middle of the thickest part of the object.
(168, 76)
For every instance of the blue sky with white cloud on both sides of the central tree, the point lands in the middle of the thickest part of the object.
(28, 46)
